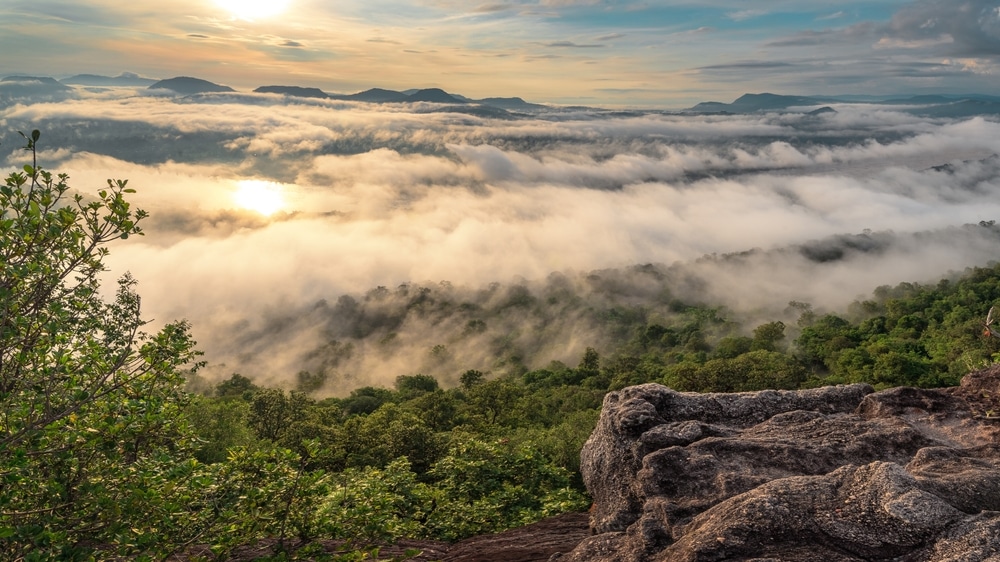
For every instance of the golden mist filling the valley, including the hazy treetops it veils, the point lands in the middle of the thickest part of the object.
(412, 239)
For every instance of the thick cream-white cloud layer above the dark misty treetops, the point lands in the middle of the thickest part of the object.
(383, 195)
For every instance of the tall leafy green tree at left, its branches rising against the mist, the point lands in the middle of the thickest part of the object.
(90, 404)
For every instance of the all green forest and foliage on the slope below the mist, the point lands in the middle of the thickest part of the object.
(112, 445)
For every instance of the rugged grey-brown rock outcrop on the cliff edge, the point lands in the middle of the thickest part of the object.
(830, 474)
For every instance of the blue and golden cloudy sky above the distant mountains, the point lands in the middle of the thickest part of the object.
(609, 53)
